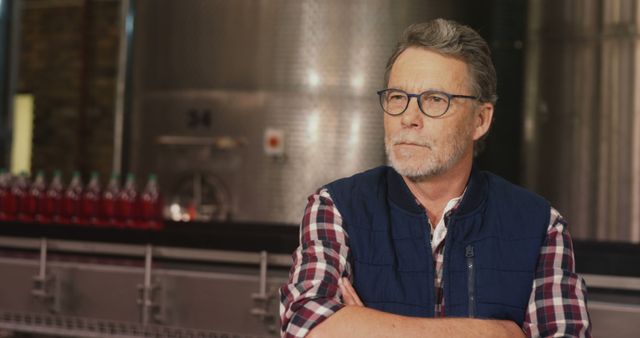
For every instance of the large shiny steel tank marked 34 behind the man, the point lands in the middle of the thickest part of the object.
(235, 68)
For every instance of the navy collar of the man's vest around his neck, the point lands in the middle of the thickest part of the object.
(473, 198)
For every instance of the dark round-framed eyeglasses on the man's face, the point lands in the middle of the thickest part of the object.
(432, 103)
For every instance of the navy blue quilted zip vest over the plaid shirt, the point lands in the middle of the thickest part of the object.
(492, 246)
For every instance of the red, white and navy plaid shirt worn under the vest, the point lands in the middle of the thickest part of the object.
(557, 307)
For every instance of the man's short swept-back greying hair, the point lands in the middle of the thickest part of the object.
(450, 38)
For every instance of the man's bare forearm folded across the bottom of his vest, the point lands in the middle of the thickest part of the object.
(357, 321)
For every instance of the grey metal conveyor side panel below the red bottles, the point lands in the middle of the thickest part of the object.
(208, 297)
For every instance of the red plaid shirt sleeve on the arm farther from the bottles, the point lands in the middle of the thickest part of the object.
(558, 306)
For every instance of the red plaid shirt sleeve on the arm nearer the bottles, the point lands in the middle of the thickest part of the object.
(311, 295)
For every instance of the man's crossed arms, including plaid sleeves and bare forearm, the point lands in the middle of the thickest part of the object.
(319, 303)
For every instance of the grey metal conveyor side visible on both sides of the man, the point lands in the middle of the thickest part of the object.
(194, 301)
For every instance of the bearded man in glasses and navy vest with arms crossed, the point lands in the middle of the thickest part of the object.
(432, 247)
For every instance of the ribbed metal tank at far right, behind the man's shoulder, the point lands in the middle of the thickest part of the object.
(583, 130)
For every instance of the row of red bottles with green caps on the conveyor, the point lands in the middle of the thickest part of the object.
(113, 206)
